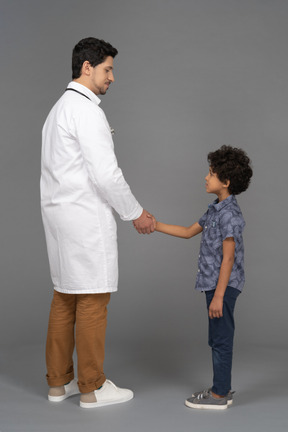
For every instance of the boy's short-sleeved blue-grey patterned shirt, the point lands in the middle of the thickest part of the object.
(222, 220)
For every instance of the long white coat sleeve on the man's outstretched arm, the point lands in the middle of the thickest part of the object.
(95, 140)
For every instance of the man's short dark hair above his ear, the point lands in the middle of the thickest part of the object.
(92, 50)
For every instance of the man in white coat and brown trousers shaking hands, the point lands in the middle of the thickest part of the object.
(81, 184)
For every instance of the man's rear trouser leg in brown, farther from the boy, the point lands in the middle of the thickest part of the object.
(60, 340)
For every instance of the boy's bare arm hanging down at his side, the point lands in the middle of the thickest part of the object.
(216, 305)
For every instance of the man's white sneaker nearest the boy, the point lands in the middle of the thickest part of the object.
(108, 394)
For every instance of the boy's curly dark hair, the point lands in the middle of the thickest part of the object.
(231, 164)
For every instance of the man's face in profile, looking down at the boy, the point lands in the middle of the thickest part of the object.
(102, 76)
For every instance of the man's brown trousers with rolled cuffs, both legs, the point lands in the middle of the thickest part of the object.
(88, 314)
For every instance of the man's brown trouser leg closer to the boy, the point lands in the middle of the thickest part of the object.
(91, 320)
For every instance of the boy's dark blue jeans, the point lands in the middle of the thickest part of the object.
(221, 335)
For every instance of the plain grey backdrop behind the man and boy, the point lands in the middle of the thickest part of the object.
(190, 76)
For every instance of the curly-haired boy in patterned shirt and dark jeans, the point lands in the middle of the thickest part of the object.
(221, 265)
